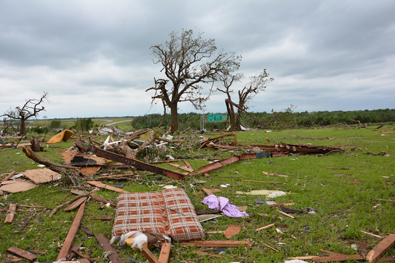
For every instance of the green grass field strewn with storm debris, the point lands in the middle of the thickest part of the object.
(350, 192)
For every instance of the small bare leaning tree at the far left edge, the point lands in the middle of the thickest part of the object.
(31, 108)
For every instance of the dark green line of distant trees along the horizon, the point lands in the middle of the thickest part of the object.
(285, 119)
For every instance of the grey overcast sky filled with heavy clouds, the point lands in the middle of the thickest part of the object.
(94, 58)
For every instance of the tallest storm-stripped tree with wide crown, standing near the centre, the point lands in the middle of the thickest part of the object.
(188, 62)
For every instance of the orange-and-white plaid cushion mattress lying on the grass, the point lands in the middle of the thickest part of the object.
(169, 212)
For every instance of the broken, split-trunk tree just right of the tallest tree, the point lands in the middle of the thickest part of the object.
(257, 84)
